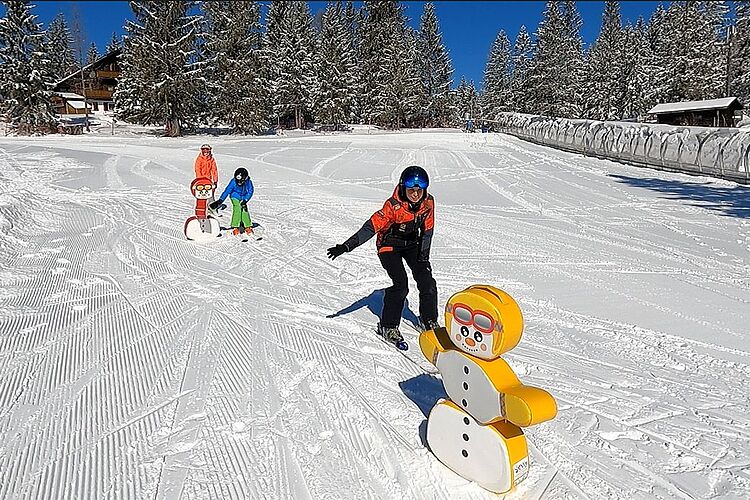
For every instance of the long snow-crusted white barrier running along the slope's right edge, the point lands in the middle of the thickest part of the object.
(718, 152)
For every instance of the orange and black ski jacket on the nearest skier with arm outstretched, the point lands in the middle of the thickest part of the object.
(399, 225)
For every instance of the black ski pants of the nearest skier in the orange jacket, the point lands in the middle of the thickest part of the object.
(395, 295)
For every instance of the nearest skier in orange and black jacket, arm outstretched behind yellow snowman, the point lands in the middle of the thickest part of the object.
(404, 233)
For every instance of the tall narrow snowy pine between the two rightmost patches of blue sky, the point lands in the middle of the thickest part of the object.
(604, 99)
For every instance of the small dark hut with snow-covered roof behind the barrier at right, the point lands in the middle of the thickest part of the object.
(708, 113)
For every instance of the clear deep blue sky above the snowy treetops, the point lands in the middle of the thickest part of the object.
(468, 28)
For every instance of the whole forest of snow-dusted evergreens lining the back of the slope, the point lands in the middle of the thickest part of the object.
(188, 64)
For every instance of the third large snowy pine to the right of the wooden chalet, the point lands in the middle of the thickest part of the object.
(292, 52)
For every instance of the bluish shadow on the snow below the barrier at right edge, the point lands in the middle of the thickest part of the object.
(733, 201)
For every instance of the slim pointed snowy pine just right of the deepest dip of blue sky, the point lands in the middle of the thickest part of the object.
(496, 84)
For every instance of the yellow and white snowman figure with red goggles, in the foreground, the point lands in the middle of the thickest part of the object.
(477, 432)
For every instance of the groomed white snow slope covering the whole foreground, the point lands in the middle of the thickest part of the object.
(136, 364)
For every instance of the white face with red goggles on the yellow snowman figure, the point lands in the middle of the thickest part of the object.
(473, 331)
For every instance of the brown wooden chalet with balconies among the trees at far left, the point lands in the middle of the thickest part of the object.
(95, 84)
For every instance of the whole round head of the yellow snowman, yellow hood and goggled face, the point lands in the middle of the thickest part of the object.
(483, 321)
